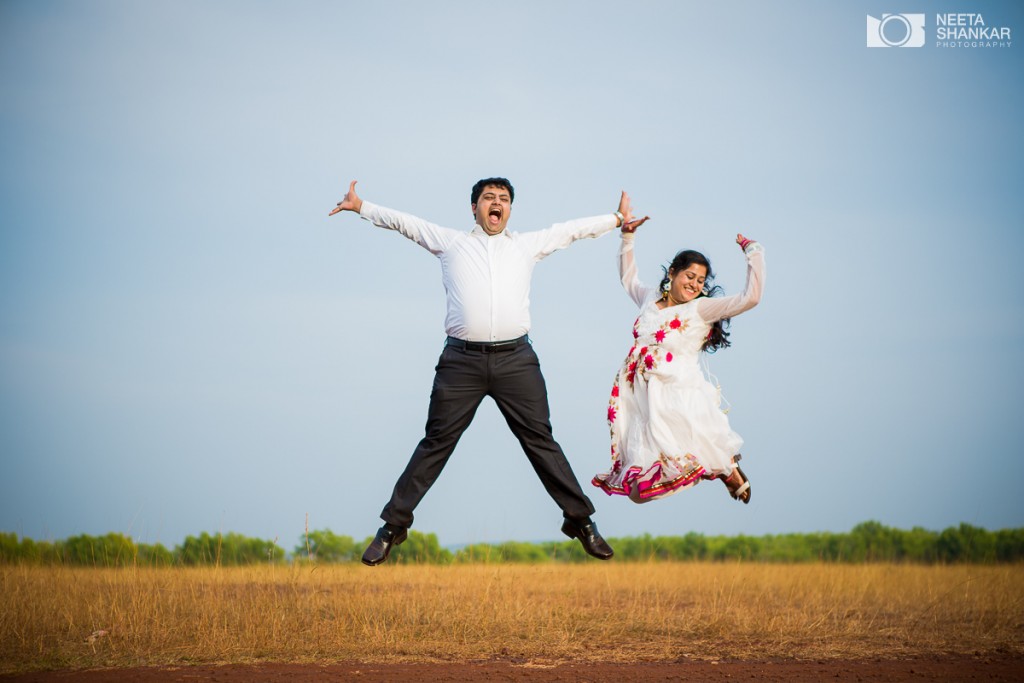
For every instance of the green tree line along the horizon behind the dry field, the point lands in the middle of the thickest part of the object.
(868, 542)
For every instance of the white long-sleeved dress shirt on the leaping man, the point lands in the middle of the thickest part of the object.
(487, 278)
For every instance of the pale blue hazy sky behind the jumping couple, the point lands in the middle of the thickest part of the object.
(189, 344)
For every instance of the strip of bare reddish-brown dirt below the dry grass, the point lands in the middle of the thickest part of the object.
(1002, 669)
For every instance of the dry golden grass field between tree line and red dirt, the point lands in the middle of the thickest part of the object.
(589, 613)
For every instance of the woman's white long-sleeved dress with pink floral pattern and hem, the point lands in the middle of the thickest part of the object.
(668, 430)
